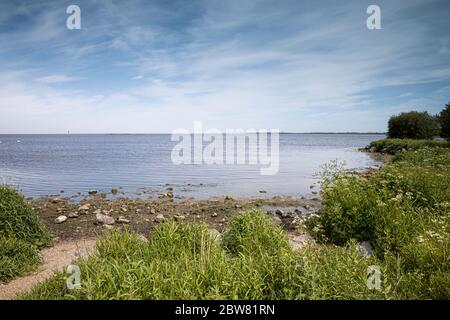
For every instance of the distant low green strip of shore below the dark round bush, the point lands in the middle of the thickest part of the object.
(392, 146)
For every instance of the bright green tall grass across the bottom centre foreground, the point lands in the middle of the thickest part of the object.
(182, 261)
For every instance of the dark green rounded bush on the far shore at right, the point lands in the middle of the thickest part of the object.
(413, 125)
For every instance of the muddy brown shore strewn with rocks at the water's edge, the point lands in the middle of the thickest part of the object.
(95, 213)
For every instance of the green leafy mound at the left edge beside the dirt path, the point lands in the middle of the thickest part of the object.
(21, 235)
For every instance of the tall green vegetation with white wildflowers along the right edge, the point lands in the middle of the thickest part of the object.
(404, 211)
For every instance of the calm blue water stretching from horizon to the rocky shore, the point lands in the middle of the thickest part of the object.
(45, 164)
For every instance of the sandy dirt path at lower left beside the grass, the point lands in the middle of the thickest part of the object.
(54, 259)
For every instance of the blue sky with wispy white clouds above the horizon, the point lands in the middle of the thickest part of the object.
(146, 66)
